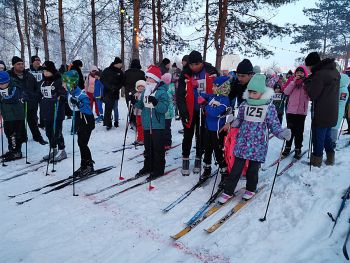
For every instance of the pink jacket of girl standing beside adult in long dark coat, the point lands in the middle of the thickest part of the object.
(298, 101)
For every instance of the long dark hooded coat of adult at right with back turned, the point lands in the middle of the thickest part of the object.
(323, 90)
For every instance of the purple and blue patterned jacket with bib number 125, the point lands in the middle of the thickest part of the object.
(252, 138)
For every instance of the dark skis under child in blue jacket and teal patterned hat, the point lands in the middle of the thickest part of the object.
(57, 185)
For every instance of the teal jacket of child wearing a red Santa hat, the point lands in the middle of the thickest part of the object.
(158, 112)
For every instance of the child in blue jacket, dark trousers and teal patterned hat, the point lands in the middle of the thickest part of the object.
(84, 120)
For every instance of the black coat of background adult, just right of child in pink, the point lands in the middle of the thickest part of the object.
(113, 80)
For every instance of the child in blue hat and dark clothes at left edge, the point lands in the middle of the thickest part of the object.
(12, 111)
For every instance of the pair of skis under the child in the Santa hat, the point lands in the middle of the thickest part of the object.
(147, 180)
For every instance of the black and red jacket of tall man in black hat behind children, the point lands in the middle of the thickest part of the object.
(184, 93)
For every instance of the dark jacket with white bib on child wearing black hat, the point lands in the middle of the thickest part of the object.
(58, 94)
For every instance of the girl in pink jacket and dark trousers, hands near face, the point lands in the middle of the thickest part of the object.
(297, 108)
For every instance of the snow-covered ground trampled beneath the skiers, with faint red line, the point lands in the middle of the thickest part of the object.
(131, 227)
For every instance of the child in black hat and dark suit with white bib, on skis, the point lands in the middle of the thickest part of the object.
(53, 106)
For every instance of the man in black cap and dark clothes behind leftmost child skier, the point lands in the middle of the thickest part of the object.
(27, 83)
